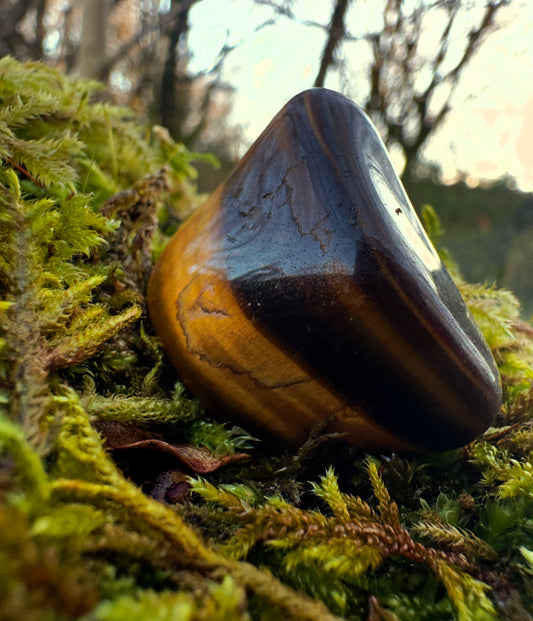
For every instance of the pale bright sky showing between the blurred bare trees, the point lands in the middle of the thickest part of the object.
(488, 134)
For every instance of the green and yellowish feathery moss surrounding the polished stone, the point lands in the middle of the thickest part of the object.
(88, 195)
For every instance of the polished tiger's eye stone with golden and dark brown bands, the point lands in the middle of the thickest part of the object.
(306, 288)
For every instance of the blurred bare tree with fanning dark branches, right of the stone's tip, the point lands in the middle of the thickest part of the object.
(405, 114)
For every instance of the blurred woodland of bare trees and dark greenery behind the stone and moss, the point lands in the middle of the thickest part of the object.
(141, 52)
